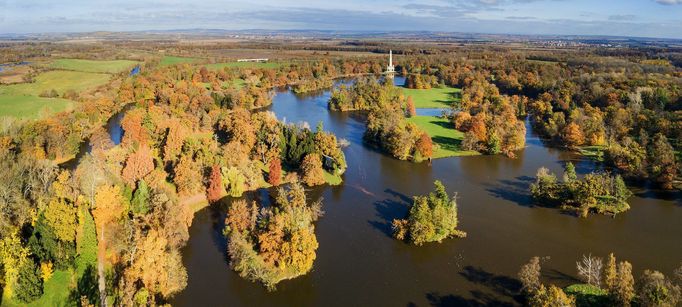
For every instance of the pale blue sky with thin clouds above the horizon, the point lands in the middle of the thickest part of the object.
(644, 18)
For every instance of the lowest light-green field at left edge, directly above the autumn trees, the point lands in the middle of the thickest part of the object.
(32, 107)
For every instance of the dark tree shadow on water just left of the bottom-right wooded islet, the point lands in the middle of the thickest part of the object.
(500, 284)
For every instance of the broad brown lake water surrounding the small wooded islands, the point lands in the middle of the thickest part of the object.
(359, 264)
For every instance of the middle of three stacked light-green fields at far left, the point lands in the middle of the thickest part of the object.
(59, 80)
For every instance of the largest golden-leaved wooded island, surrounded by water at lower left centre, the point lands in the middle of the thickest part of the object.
(271, 244)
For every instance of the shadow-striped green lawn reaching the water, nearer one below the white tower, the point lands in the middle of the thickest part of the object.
(444, 135)
